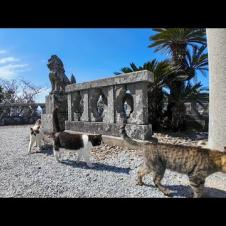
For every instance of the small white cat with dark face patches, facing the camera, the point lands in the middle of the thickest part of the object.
(36, 136)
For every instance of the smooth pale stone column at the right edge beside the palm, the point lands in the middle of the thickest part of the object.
(216, 43)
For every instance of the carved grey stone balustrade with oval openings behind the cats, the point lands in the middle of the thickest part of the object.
(100, 106)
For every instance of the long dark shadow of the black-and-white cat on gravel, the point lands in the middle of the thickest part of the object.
(97, 166)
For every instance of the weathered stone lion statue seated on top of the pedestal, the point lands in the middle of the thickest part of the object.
(57, 75)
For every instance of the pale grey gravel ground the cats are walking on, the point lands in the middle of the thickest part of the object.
(39, 175)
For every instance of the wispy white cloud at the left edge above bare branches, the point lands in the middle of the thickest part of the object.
(10, 71)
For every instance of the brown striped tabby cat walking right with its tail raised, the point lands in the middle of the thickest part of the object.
(197, 162)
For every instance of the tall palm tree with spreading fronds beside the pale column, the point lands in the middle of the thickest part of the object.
(177, 42)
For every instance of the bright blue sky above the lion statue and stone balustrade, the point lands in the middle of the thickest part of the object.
(87, 53)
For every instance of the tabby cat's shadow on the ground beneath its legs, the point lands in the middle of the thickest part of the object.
(186, 191)
